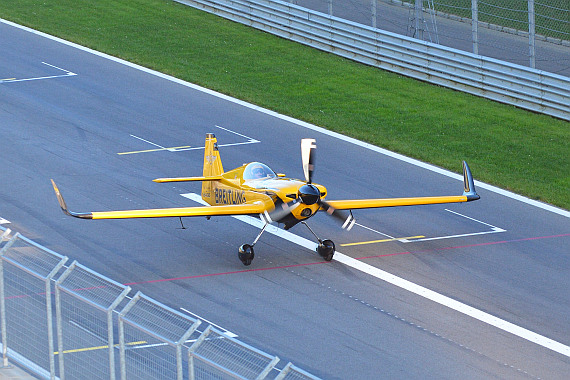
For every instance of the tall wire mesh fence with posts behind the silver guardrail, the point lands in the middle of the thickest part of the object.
(534, 33)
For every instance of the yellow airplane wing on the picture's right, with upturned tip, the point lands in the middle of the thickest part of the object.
(469, 194)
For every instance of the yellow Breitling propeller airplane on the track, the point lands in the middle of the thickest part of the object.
(255, 189)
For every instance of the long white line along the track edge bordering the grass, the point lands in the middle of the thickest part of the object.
(289, 119)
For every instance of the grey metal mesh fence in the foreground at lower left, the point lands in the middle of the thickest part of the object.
(102, 333)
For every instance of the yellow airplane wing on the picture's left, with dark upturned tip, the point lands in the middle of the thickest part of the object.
(257, 207)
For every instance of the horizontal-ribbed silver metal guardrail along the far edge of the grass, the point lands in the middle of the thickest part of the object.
(490, 78)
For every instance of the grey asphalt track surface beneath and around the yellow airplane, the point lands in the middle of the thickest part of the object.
(477, 290)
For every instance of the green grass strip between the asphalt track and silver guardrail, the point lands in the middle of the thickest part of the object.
(517, 150)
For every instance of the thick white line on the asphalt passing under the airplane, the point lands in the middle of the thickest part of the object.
(410, 286)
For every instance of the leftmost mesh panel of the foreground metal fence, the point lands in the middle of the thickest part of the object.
(26, 275)
